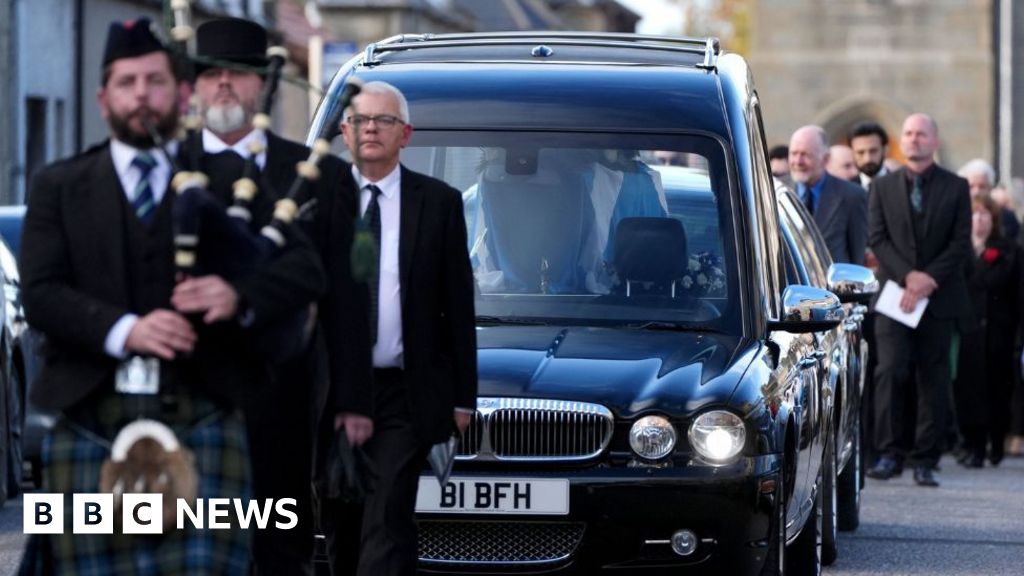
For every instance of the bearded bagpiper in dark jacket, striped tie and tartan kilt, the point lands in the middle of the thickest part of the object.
(99, 280)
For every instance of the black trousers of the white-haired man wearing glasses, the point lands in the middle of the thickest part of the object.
(398, 454)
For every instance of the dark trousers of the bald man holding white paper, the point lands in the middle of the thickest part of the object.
(918, 358)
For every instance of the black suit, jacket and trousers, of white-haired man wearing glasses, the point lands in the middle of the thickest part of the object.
(412, 408)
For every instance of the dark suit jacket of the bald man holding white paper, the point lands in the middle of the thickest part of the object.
(948, 240)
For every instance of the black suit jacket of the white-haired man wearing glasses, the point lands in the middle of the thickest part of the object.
(438, 312)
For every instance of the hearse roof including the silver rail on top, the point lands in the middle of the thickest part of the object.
(595, 81)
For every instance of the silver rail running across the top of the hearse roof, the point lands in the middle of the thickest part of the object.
(710, 48)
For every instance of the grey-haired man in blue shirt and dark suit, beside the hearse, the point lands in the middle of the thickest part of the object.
(839, 208)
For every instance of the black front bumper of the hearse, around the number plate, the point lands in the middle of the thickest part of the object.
(621, 519)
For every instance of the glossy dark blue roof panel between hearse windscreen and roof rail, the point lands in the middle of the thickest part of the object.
(558, 97)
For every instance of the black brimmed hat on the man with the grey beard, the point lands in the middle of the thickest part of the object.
(232, 40)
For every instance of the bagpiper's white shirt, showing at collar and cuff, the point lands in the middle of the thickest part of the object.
(123, 155)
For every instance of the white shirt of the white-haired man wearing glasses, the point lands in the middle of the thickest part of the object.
(389, 350)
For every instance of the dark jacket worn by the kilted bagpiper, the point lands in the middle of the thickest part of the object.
(75, 289)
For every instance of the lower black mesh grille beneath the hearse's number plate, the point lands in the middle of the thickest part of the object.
(498, 543)
